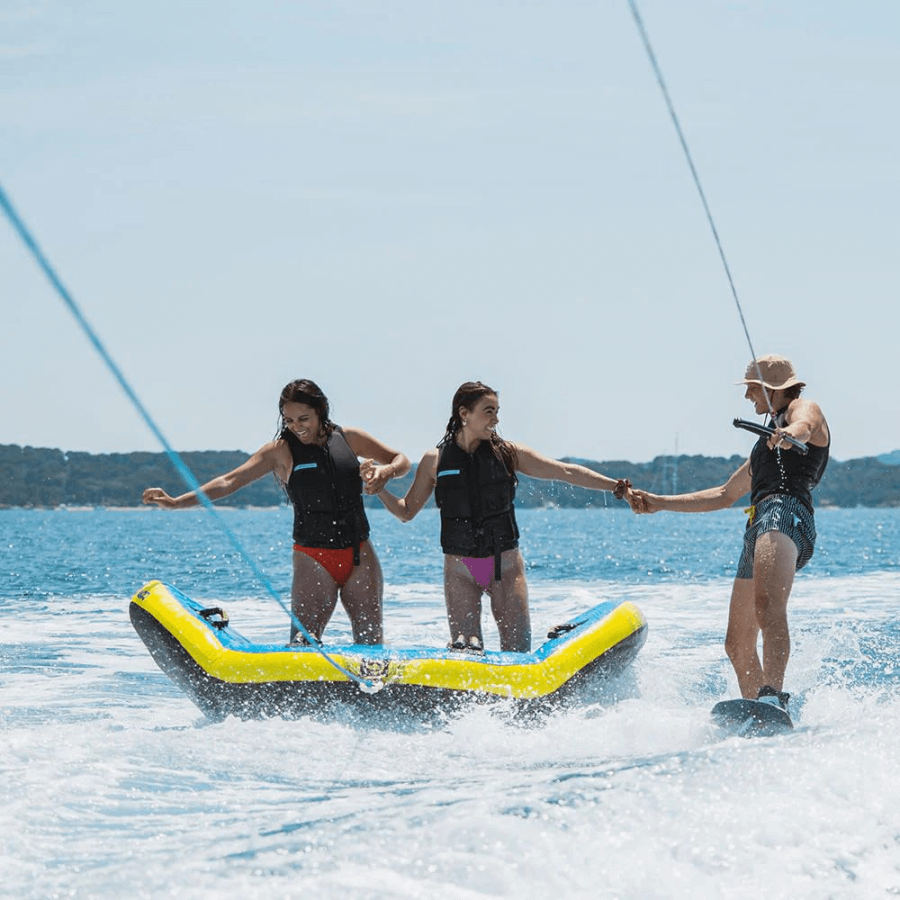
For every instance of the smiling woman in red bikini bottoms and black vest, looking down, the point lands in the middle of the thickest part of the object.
(317, 462)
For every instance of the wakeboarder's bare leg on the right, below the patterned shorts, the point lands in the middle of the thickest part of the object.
(774, 565)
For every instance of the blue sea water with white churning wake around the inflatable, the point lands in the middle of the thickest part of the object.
(113, 785)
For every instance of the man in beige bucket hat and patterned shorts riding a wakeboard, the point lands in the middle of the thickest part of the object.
(780, 534)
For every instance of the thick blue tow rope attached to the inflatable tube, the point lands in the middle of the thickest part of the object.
(186, 474)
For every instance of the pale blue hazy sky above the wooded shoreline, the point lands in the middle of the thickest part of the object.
(394, 197)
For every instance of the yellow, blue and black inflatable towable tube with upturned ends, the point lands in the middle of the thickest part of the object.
(226, 674)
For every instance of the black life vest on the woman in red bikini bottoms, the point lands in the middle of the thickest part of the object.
(325, 488)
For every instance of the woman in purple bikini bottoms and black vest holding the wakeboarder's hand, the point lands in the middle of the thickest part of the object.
(472, 473)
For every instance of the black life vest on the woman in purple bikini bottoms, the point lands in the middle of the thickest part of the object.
(475, 493)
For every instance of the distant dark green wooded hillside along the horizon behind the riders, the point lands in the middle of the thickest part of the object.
(34, 477)
